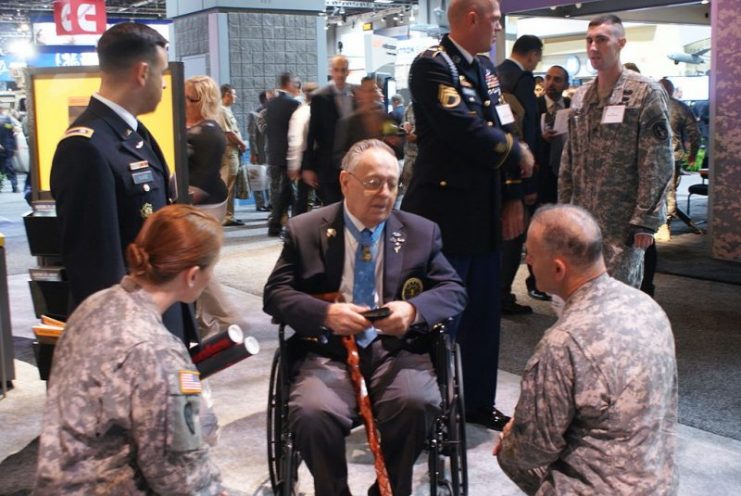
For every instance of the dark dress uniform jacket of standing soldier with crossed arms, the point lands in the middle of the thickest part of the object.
(467, 161)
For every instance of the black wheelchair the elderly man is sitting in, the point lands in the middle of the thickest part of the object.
(446, 442)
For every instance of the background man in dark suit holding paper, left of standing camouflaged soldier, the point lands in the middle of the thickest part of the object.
(548, 153)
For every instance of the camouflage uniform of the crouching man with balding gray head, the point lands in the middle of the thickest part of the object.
(598, 406)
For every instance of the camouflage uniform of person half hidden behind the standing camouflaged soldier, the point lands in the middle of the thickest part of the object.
(685, 129)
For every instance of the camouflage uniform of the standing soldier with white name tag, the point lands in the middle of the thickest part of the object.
(619, 172)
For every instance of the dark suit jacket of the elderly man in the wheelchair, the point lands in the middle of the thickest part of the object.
(312, 262)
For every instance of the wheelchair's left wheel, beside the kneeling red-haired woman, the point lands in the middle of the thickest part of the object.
(283, 458)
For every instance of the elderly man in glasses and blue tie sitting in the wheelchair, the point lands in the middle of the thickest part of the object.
(405, 272)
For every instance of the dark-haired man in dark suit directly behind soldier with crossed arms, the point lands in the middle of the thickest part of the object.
(516, 76)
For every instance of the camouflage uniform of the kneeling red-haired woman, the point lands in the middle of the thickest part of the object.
(122, 413)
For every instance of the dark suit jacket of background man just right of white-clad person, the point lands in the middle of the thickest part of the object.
(321, 135)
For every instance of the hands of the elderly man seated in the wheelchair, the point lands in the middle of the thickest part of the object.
(345, 319)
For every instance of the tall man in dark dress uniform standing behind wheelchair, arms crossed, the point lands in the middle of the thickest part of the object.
(467, 178)
